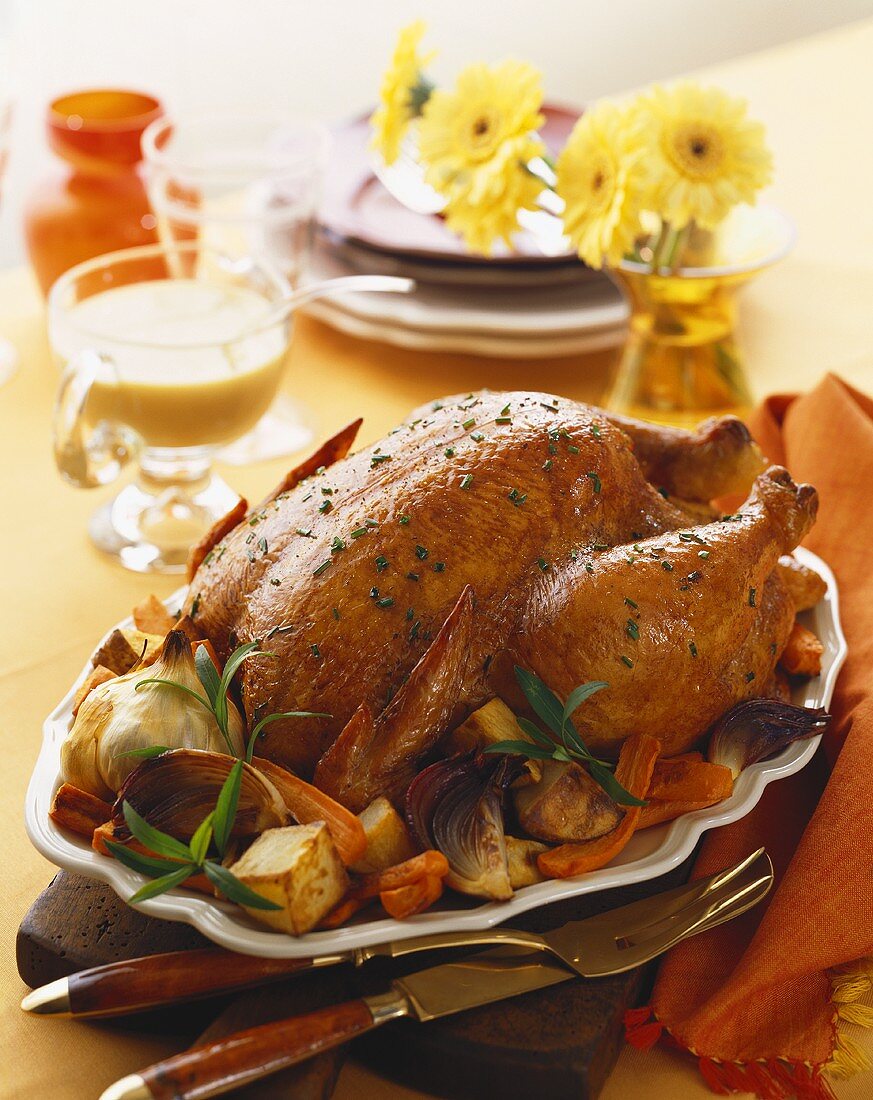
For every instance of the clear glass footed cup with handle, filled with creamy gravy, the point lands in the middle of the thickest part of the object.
(168, 355)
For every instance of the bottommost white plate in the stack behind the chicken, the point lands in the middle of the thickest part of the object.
(470, 344)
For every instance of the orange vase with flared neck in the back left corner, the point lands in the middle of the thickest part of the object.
(100, 203)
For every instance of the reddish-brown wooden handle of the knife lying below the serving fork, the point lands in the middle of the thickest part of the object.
(249, 1055)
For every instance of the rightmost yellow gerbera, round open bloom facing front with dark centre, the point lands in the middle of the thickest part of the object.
(706, 153)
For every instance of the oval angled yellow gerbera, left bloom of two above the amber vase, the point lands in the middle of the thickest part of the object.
(600, 179)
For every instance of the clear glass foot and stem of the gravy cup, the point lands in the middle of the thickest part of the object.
(151, 525)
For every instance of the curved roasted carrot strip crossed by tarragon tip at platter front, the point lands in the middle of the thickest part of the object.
(636, 765)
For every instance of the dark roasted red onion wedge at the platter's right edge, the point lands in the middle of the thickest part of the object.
(758, 729)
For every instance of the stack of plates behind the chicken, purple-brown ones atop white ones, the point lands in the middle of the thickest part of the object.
(515, 304)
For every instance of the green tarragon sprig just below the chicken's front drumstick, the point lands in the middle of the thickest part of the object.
(567, 745)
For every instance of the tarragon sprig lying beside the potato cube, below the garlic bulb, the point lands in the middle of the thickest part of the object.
(173, 863)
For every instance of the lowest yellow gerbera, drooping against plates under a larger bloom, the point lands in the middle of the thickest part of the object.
(484, 210)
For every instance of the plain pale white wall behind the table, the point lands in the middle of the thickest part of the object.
(324, 58)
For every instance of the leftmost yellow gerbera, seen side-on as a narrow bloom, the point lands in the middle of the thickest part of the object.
(402, 93)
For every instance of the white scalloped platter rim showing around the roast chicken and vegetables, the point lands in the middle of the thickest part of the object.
(650, 853)
